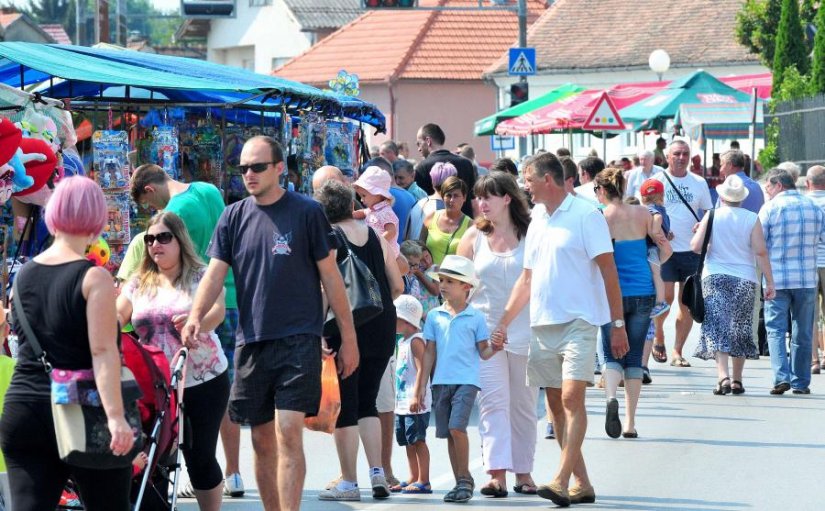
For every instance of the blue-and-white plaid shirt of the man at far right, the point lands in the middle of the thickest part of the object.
(794, 227)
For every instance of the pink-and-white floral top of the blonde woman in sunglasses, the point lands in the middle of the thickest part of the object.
(152, 319)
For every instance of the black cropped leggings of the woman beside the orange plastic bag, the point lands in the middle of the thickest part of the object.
(360, 390)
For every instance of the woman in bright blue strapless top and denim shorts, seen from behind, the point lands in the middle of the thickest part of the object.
(629, 227)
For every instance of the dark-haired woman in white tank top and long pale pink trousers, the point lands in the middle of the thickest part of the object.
(507, 406)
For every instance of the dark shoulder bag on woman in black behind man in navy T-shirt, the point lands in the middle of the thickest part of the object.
(363, 291)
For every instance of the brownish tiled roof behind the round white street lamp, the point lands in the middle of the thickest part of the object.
(617, 34)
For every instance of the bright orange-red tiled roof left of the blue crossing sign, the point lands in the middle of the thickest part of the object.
(415, 44)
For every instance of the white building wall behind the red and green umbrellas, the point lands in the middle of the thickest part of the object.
(625, 144)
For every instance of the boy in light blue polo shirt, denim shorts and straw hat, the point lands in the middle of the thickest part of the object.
(457, 338)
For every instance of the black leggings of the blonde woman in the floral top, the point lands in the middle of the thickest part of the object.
(204, 408)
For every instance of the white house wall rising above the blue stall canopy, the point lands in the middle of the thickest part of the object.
(258, 36)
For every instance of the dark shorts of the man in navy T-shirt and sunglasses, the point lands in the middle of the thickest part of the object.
(281, 374)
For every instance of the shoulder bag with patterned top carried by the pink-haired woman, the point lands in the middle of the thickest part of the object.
(80, 422)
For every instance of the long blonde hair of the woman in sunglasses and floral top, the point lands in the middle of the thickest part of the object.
(191, 264)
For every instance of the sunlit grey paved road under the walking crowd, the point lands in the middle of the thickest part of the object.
(695, 452)
